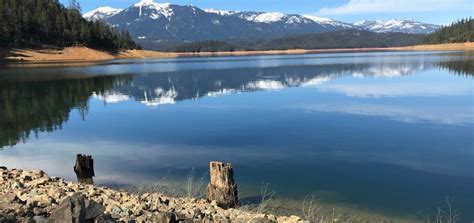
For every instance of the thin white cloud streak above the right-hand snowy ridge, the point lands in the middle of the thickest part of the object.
(380, 6)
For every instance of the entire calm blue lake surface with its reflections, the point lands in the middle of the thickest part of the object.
(388, 132)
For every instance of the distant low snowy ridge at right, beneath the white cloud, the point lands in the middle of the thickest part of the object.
(396, 25)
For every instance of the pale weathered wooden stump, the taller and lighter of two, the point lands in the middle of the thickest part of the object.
(222, 187)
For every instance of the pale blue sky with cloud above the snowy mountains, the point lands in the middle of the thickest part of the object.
(431, 11)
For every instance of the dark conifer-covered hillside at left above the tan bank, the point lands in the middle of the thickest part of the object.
(30, 23)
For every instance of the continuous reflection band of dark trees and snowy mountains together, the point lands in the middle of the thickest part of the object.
(43, 105)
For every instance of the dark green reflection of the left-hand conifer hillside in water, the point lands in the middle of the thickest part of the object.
(43, 106)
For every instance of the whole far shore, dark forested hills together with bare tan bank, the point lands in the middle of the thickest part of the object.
(47, 31)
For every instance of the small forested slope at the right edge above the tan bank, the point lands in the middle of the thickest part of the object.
(458, 32)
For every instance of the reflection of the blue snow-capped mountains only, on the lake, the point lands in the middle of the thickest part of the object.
(169, 88)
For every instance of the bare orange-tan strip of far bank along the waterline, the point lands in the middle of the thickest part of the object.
(87, 55)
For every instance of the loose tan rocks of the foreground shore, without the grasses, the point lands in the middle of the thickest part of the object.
(33, 196)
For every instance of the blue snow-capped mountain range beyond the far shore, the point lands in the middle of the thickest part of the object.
(152, 23)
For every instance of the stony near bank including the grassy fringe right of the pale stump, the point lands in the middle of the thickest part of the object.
(35, 195)
